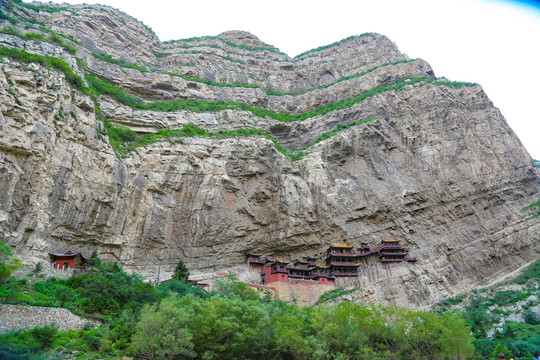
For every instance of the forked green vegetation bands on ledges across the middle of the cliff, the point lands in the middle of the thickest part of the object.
(124, 140)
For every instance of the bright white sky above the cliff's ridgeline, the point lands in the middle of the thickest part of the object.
(491, 42)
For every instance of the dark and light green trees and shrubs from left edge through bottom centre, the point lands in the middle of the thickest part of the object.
(176, 320)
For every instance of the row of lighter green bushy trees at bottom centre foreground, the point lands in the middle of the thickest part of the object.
(231, 328)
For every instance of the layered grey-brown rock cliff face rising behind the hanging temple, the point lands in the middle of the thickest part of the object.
(434, 164)
